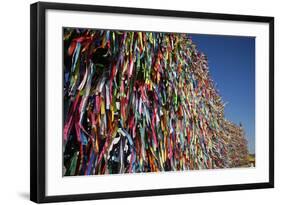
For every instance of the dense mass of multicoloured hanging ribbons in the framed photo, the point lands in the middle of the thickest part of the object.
(139, 102)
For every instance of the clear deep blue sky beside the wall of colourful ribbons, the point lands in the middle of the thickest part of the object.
(231, 62)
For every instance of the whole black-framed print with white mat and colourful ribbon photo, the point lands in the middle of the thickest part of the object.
(129, 102)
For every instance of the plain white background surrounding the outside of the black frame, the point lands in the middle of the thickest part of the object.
(14, 101)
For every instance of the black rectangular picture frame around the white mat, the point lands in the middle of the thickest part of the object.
(38, 100)
